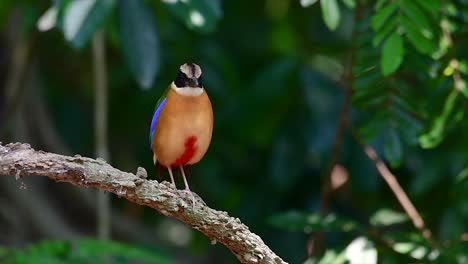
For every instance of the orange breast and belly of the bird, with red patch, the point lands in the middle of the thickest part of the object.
(184, 128)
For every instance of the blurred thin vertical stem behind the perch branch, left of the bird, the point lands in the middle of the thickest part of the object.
(100, 129)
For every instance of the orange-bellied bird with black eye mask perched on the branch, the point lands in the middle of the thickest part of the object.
(182, 123)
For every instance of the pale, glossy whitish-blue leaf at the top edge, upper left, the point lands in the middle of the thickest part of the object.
(83, 18)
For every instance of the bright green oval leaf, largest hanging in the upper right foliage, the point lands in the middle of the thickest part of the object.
(392, 54)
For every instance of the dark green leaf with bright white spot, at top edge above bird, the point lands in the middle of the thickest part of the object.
(199, 15)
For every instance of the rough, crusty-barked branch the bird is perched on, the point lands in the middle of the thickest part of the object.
(21, 160)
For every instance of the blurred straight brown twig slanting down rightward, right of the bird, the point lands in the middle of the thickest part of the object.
(396, 188)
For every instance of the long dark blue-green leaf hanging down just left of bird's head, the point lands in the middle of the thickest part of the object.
(140, 44)
